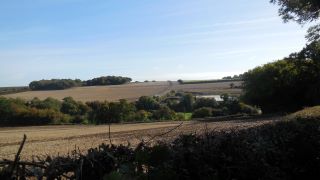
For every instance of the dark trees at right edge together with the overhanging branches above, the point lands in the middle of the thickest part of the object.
(291, 83)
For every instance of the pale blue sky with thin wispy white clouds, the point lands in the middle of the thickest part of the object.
(141, 39)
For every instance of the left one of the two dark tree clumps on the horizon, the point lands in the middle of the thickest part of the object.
(55, 84)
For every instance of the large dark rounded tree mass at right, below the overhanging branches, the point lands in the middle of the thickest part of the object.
(286, 85)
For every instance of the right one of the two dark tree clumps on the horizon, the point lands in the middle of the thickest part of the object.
(107, 80)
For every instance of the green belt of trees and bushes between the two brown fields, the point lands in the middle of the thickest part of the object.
(173, 106)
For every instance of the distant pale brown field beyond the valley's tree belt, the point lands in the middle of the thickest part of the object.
(130, 91)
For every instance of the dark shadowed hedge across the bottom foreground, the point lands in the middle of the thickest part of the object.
(284, 150)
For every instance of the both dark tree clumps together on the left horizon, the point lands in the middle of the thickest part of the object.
(60, 84)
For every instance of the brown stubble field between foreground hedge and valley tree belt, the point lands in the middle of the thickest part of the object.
(61, 140)
